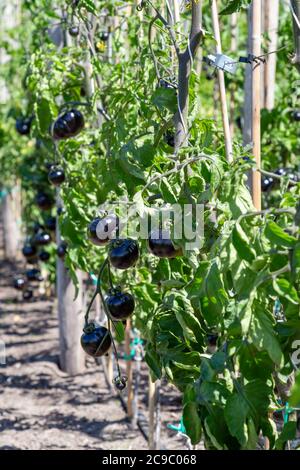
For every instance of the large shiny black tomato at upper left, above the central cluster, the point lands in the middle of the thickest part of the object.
(68, 124)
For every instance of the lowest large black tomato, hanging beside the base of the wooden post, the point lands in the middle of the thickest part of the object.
(95, 340)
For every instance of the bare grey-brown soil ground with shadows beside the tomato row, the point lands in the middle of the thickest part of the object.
(43, 408)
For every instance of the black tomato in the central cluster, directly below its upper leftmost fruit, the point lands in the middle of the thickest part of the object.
(123, 254)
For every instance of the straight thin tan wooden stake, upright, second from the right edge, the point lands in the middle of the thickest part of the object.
(256, 102)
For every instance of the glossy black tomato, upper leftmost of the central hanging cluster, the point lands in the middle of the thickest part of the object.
(101, 230)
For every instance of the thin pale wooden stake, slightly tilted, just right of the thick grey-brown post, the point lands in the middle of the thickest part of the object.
(221, 79)
